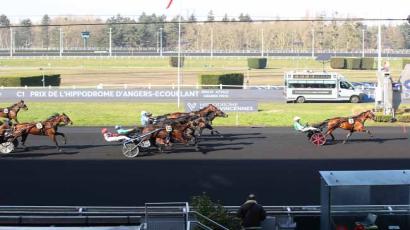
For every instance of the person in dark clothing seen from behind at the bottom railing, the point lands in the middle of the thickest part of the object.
(251, 213)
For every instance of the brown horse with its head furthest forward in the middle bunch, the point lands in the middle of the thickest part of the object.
(209, 112)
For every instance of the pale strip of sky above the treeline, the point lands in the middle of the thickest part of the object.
(257, 9)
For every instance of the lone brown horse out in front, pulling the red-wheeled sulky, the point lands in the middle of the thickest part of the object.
(352, 124)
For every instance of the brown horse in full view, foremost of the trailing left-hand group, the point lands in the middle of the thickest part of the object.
(48, 128)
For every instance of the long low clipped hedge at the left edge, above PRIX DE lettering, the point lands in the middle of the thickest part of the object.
(50, 80)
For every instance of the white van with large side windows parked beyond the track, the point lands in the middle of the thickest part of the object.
(319, 86)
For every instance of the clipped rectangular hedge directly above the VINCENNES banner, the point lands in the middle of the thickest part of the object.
(224, 79)
